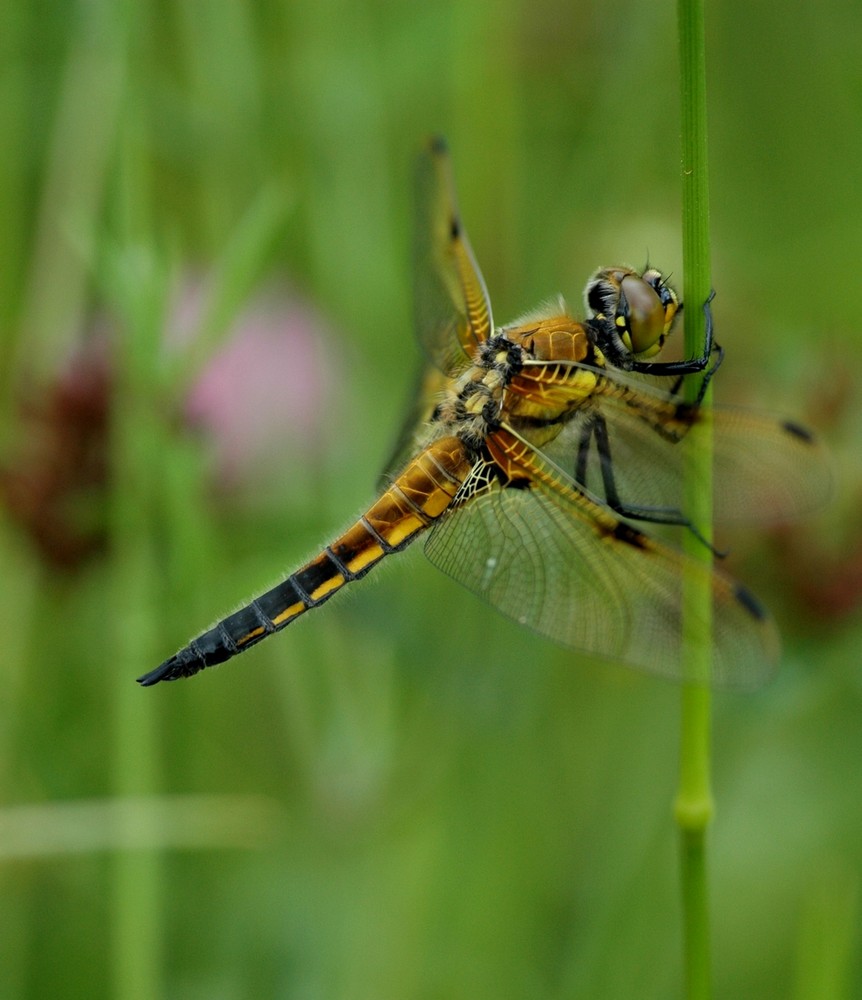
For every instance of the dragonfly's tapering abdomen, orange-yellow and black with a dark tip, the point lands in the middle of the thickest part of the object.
(418, 496)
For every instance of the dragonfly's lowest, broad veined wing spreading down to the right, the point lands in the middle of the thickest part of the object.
(599, 585)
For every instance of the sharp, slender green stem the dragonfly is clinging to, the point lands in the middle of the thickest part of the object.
(694, 803)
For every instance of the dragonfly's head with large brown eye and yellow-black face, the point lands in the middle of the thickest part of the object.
(641, 306)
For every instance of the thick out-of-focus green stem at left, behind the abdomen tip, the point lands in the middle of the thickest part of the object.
(136, 281)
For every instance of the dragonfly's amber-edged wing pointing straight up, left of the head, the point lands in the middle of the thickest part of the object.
(452, 309)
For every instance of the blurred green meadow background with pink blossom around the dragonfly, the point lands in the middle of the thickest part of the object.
(205, 347)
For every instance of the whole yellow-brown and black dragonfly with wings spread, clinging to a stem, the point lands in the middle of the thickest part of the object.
(534, 456)
